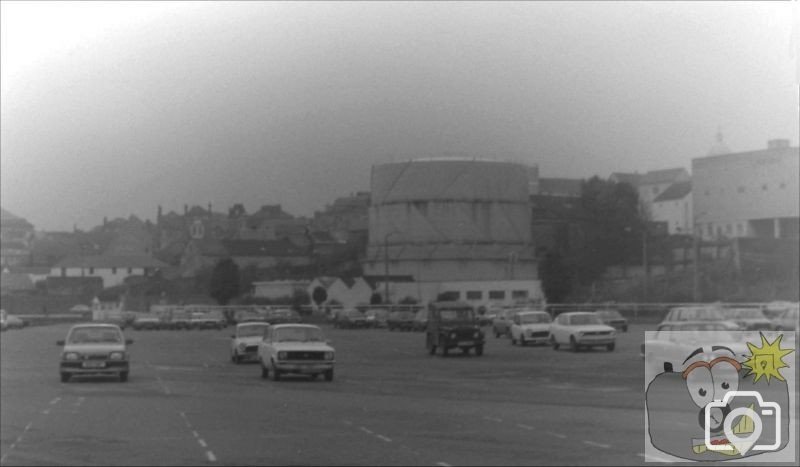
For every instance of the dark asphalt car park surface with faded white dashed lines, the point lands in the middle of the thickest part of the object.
(390, 403)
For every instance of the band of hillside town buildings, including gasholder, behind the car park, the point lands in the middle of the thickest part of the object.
(735, 211)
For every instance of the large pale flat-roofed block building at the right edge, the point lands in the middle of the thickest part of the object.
(748, 194)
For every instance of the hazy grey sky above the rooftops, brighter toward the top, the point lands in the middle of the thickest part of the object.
(114, 108)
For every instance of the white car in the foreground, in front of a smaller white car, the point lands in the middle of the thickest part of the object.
(297, 349)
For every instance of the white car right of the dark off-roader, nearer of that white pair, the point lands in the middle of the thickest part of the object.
(581, 329)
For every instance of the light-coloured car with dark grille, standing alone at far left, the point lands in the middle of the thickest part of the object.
(94, 349)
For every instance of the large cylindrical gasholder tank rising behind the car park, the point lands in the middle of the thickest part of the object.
(471, 212)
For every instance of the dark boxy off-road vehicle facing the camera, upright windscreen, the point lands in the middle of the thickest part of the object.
(453, 325)
